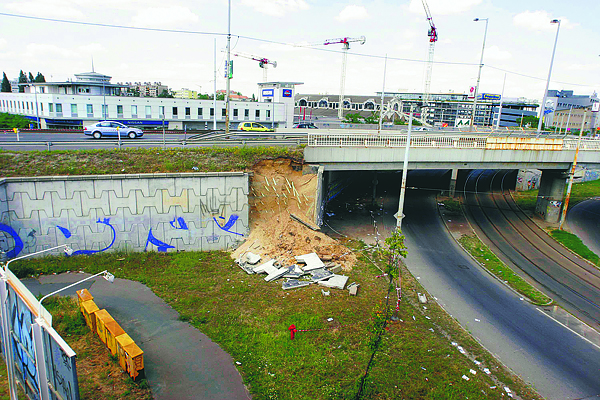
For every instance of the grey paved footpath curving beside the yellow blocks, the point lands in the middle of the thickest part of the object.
(180, 361)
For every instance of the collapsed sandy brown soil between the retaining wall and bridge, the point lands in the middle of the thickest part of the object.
(278, 189)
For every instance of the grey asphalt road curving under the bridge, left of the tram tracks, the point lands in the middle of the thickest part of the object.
(558, 363)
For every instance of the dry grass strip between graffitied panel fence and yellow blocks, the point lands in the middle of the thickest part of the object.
(99, 374)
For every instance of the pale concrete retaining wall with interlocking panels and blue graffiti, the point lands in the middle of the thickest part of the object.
(143, 212)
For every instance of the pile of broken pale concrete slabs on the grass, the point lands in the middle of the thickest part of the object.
(310, 269)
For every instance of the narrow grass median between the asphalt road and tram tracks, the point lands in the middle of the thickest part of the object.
(493, 264)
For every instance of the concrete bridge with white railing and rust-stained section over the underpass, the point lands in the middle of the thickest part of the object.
(459, 152)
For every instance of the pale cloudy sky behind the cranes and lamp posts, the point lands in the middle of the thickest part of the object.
(517, 53)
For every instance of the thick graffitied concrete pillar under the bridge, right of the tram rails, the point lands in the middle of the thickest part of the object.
(550, 195)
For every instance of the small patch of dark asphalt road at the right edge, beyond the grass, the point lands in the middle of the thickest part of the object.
(584, 221)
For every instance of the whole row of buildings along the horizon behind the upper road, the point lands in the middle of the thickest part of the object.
(91, 97)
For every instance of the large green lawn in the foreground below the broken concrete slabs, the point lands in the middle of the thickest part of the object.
(249, 318)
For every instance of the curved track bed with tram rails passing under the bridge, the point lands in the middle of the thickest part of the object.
(521, 244)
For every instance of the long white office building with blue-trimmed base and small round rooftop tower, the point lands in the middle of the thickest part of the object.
(91, 98)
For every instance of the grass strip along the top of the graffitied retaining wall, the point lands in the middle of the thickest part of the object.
(137, 161)
